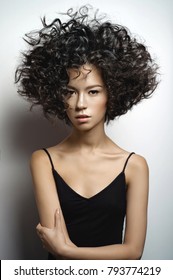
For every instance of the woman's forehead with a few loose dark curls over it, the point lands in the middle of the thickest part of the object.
(87, 73)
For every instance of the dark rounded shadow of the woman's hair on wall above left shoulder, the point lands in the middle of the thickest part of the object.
(31, 131)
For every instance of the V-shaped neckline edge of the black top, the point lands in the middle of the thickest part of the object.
(95, 195)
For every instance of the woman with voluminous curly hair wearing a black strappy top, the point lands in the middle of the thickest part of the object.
(88, 72)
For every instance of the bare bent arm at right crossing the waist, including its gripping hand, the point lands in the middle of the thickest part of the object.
(136, 221)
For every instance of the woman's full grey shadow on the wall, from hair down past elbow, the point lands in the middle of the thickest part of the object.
(25, 133)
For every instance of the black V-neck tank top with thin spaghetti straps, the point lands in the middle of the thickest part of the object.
(95, 221)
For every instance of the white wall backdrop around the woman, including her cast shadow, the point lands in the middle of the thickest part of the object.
(145, 130)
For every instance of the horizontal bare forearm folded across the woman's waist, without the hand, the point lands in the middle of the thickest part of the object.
(110, 252)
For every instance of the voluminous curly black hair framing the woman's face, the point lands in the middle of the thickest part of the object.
(128, 71)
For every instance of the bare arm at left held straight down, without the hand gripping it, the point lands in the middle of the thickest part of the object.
(45, 191)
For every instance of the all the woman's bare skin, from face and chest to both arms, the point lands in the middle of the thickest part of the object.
(95, 155)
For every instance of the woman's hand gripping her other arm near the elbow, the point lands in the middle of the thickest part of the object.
(54, 240)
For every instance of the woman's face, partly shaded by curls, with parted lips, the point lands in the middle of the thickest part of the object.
(86, 97)
